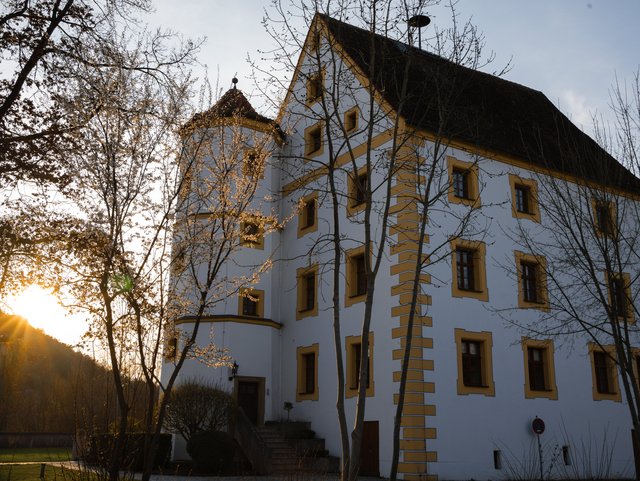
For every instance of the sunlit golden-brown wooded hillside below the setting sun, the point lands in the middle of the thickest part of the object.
(45, 386)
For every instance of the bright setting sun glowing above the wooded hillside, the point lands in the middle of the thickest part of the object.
(43, 311)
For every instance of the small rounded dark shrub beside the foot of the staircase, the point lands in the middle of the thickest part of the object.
(212, 452)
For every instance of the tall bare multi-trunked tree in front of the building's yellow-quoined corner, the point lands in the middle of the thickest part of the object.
(359, 94)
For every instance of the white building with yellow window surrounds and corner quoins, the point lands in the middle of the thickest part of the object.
(475, 383)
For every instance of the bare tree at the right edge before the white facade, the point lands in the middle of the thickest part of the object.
(589, 238)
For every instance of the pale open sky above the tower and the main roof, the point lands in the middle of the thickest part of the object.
(571, 50)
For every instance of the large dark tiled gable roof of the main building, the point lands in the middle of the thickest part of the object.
(478, 108)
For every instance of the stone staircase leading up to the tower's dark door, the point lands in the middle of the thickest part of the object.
(294, 448)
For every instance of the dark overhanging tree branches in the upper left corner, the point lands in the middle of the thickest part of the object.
(41, 42)
